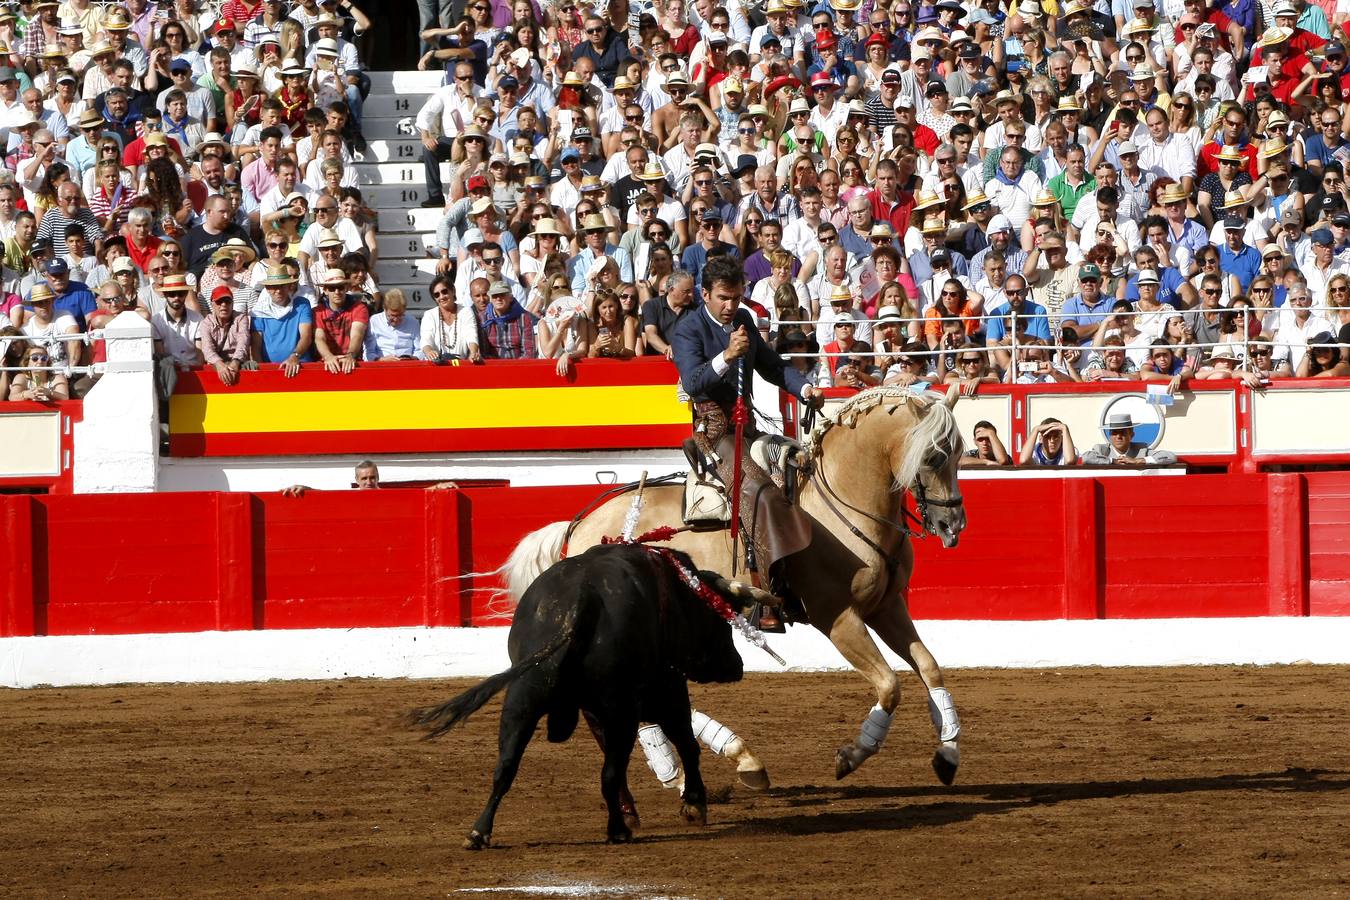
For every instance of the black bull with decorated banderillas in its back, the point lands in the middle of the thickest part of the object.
(615, 632)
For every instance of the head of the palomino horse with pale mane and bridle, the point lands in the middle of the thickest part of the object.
(928, 466)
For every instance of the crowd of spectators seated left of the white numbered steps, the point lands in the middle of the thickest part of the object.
(190, 161)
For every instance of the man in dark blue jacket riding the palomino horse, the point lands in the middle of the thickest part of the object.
(718, 350)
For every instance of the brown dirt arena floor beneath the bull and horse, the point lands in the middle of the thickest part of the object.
(1198, 782)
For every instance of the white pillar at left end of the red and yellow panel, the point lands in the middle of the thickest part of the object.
(118, 443)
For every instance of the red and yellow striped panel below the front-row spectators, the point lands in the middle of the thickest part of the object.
(414, 408)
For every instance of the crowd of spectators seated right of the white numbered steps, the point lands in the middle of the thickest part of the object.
(973, 194)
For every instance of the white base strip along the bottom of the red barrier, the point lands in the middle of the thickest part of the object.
(425, 654)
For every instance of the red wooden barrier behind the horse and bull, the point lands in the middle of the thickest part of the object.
(1201, 546)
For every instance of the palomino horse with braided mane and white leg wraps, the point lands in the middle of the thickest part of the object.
(880, 445)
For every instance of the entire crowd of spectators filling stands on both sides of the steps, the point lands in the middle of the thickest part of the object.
(1013, 191)
